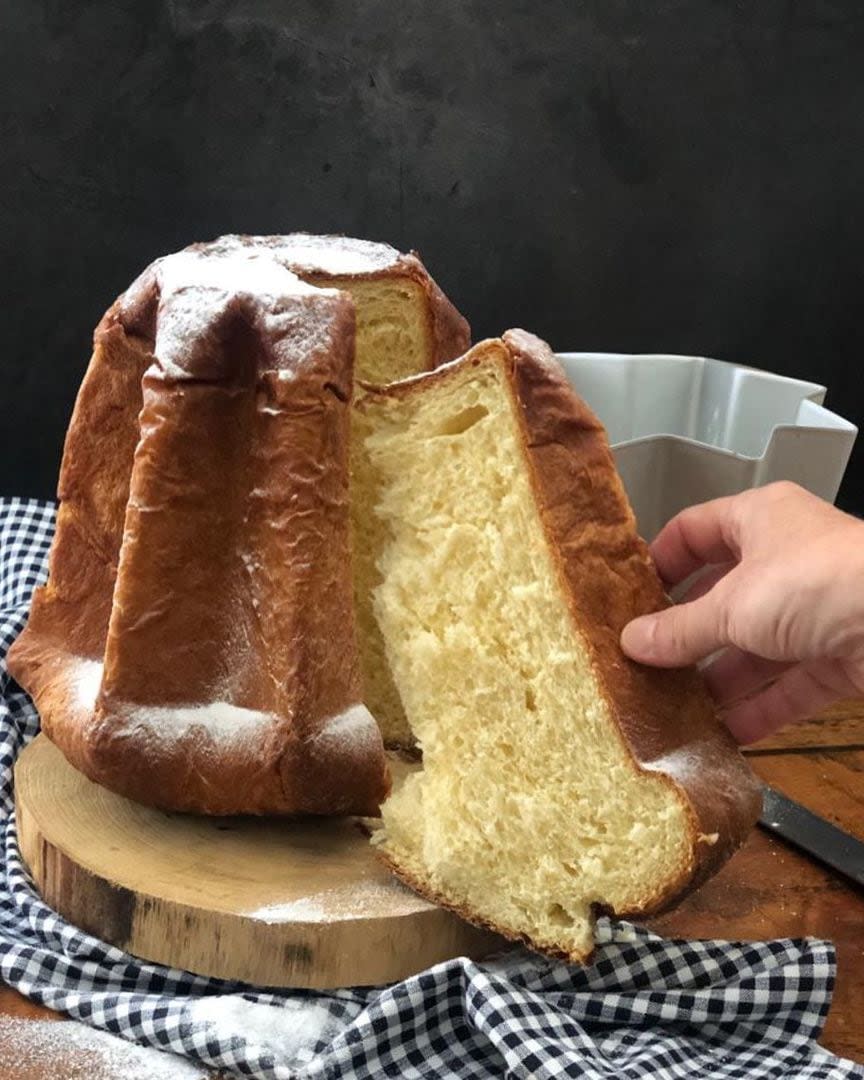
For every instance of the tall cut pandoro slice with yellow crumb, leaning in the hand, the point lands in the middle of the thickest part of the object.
(559, 778)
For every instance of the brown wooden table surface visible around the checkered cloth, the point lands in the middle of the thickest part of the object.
(768, 890)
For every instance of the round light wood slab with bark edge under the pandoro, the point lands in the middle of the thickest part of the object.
(267, 901)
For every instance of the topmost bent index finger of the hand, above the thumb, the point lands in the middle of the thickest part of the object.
(698, 536)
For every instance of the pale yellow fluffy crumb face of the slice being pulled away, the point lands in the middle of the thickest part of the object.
(530, 808)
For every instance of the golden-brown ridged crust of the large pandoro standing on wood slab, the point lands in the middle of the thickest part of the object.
(225, 507)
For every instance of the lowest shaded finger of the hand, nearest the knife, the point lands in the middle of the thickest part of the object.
(800, 693)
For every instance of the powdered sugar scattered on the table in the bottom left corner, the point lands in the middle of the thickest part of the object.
(48, 1048)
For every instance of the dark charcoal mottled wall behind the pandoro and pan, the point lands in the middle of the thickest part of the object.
(613, 174)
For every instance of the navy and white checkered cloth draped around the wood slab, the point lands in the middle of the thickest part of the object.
(646, 1008)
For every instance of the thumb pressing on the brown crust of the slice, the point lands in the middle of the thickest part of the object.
(679, 637)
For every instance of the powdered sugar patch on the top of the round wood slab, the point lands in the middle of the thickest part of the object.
(373, 899)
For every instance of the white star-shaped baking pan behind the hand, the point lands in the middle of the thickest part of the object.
(686, 429)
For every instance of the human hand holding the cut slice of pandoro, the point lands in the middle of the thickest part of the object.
(781, 592)
